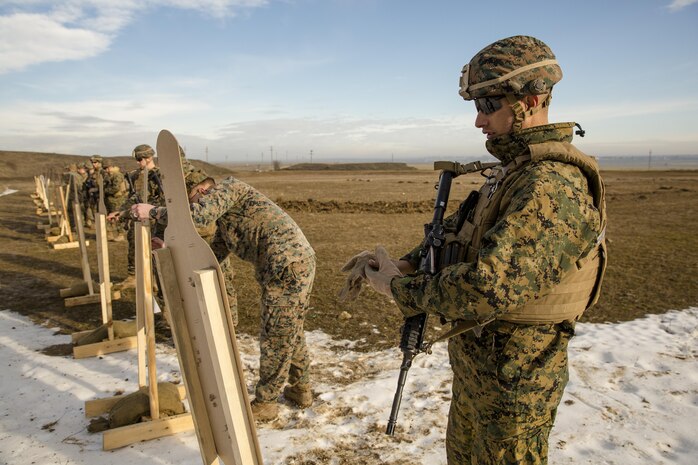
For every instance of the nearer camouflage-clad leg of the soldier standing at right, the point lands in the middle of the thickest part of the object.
(520, 393)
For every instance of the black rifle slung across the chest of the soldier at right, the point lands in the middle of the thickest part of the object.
(414, 327)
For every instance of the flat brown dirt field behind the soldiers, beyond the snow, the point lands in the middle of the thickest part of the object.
(653, 247)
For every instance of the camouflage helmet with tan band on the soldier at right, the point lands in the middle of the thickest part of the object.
(518, 66)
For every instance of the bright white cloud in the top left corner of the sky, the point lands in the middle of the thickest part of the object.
(41, 31)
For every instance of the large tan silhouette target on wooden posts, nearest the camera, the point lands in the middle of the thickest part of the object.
(202, 327)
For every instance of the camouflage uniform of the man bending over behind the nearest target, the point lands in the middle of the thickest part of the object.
(255, 229)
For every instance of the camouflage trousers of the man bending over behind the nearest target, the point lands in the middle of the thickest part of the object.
(283, 354)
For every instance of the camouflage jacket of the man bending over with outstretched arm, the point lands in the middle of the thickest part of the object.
(253, 227)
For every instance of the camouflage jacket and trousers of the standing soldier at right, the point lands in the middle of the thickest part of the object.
(508, 382)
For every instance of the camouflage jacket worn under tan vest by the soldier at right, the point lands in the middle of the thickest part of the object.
(525, 251)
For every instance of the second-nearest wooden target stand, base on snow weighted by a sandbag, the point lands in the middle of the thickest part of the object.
(153, 427)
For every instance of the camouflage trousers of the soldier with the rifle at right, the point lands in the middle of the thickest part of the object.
(507, 385)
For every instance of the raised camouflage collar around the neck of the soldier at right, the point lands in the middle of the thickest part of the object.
(510, 146)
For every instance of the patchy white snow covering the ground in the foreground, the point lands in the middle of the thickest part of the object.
(632, 399)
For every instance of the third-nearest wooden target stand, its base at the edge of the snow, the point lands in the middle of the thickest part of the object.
(111, 344)
